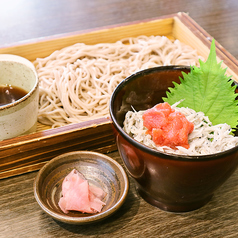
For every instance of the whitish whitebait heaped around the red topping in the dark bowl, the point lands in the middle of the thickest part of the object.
(205, 138)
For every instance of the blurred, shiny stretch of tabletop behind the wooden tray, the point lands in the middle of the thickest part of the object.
(24, 20)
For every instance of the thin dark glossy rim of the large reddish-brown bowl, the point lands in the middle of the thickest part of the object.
(154, 152)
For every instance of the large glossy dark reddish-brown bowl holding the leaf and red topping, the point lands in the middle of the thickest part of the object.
(171, 182)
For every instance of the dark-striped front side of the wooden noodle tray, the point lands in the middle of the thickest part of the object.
(29, 152)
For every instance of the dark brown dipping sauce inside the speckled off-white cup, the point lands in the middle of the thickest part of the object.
(10, 94)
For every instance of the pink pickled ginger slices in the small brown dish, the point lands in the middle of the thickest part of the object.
(78, 195)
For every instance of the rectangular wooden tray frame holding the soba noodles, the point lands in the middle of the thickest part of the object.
(30, 152)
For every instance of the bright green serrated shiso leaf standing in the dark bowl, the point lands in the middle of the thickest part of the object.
(209, 90)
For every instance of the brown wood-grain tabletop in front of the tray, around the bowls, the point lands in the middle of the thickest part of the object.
(21, 216)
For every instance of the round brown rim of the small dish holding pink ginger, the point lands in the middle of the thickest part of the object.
(87, 219)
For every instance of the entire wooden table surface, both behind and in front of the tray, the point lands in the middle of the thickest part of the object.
(21, 216)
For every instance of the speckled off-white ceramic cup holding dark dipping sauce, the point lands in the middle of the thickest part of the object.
(20, 116)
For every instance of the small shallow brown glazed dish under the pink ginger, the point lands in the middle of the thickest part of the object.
(99, 169)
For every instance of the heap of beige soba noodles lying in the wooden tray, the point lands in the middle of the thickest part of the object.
(76, 82)
